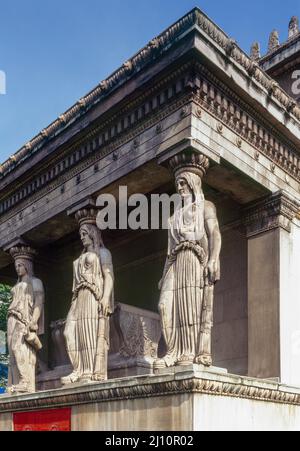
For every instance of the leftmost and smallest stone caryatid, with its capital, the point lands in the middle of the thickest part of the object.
(25, 322)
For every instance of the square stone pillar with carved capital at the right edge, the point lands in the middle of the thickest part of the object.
(273, 288)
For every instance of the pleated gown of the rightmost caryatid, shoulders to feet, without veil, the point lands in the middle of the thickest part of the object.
(183, 286)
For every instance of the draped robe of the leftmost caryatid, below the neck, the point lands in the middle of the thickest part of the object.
(22, 356)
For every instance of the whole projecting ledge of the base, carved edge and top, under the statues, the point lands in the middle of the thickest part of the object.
(151, 386)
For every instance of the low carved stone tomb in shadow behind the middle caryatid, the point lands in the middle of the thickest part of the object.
(134, 340)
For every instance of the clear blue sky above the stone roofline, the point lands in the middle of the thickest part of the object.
(54, 51)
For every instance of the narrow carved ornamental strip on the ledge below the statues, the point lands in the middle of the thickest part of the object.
(155, 387)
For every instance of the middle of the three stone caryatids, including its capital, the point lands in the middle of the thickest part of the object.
(87, 326)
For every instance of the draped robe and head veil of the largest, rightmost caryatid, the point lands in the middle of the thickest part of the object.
(186, 293)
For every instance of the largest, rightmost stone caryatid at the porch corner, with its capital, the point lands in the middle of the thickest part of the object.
(192, 268)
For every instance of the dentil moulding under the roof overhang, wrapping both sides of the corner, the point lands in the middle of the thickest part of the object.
(191, 82)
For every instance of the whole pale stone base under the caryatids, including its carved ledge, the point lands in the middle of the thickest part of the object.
(181, 399)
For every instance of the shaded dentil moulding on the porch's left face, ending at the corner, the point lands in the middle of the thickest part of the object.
(105, 139)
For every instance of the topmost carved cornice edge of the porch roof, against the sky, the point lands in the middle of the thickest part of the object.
(150, 53)
